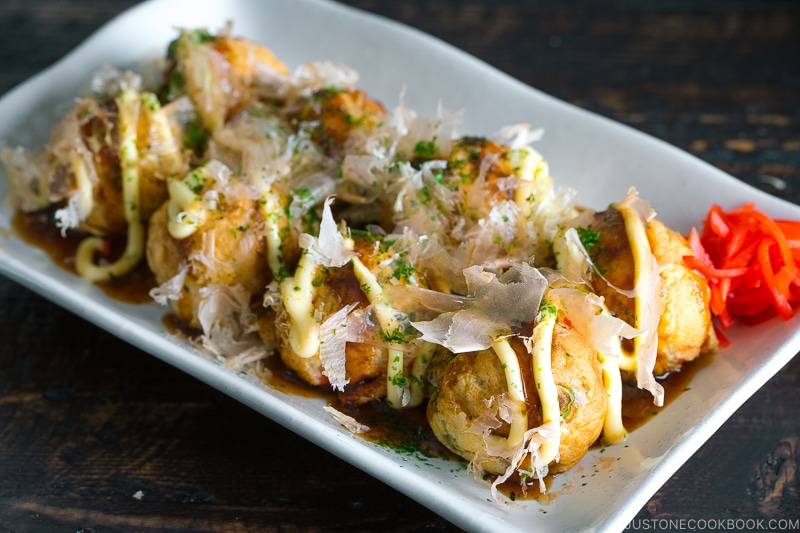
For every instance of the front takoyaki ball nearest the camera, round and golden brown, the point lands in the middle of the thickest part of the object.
(472, 381)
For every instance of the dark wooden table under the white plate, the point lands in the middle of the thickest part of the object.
(87, 421)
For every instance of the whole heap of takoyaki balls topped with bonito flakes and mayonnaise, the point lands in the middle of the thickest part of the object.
(378, 253)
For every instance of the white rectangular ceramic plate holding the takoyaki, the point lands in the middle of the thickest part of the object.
(596, 156)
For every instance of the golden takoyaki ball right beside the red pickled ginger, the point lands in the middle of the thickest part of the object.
(685, 329)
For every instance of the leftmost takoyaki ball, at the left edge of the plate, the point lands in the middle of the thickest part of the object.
(82, 162)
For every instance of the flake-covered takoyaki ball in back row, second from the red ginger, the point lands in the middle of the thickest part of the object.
(485, 202)
